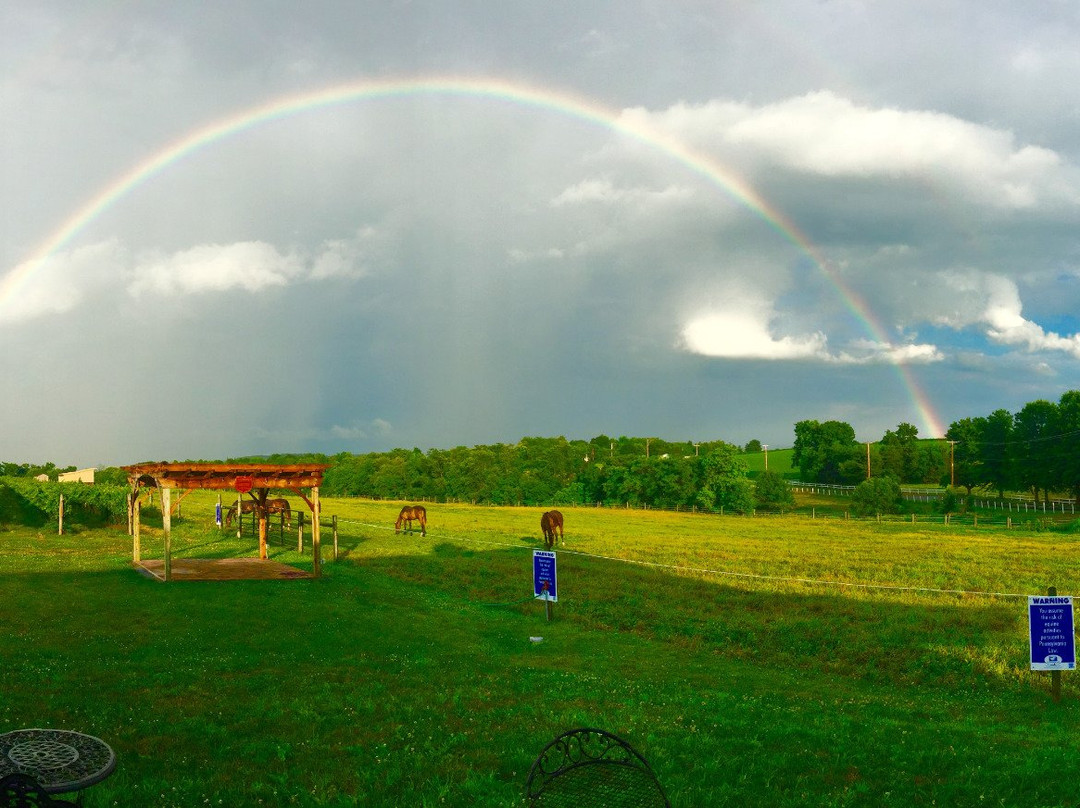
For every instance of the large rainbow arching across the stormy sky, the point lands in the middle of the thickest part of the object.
(585, 110)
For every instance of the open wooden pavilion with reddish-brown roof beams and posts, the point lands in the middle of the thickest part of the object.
(255, 480)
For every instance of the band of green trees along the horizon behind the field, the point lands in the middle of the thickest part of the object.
(1036, 450)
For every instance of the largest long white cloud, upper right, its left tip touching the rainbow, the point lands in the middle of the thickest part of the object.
(823, 133)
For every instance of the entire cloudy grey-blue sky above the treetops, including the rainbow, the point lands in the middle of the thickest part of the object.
(245, 228)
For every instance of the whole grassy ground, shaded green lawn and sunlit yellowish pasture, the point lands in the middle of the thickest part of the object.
(754, 662)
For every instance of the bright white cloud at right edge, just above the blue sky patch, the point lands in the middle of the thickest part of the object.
(993, 303)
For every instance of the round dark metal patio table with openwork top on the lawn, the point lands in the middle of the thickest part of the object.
(60, 760)
